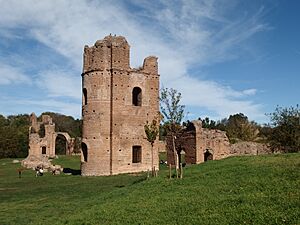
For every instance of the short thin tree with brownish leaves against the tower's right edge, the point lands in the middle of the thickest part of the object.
(152, 131)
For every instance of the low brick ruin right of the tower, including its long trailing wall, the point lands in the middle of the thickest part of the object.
(195, 145)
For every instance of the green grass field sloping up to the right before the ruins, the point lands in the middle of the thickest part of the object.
(237, 190)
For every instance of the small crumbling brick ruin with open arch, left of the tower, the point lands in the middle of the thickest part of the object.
(42, 138)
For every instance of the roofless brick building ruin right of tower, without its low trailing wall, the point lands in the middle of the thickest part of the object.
(197, 144)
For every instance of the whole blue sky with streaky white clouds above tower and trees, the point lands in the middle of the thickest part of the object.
(224, 56)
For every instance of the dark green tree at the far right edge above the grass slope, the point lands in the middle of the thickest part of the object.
(285, 135)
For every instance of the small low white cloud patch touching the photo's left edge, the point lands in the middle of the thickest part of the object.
(10, 75)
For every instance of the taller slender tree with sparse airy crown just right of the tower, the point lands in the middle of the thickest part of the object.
(173, 113)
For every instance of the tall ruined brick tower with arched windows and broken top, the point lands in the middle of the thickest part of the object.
(116, 103)
